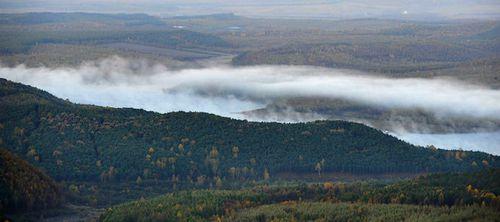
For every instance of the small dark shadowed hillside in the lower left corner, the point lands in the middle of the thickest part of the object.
(23, 187)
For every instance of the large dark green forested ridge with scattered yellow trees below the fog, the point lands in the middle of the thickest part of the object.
(82, 142)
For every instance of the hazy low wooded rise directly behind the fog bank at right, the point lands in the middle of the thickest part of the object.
(393, 58)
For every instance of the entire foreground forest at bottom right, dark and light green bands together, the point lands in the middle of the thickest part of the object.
(424, 198)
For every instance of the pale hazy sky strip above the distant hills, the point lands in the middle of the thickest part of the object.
(277, 8)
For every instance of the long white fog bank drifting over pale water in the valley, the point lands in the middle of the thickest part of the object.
(228, 91)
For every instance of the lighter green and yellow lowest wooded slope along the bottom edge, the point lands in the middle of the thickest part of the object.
(208, 205)
